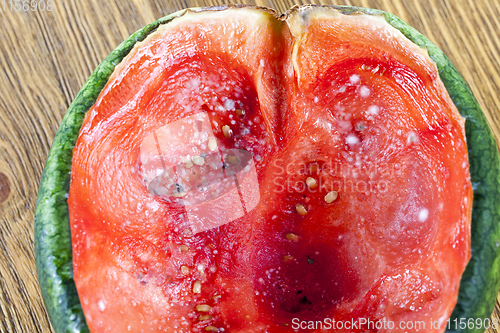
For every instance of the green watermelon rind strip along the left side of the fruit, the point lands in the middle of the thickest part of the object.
(53, 251)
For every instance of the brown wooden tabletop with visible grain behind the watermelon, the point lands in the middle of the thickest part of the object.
(45, 57)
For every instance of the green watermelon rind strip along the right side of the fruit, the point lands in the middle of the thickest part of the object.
(481, 280)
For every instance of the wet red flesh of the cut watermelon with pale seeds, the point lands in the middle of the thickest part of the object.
(355, 203)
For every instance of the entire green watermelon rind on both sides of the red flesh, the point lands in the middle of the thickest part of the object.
(479, 284)
